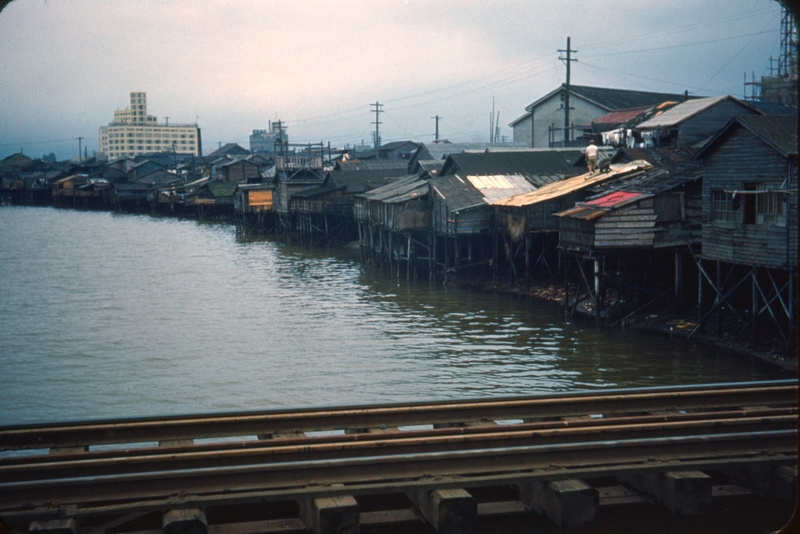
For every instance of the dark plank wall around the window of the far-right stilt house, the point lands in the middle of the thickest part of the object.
(742, 158)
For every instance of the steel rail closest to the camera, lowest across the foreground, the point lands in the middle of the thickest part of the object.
(397, 468)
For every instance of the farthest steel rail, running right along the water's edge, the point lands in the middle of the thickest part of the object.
(86, 433)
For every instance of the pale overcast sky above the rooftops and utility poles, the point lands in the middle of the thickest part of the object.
(232, 66)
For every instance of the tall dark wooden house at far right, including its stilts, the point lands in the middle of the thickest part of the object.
(750, 224)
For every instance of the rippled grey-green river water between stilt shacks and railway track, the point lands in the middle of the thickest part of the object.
(108, 315)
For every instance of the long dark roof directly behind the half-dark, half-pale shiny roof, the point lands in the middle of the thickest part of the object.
(540, 166)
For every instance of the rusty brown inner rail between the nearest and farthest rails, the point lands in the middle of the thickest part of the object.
(69, 466)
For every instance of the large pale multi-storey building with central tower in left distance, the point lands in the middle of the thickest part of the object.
(133, 132)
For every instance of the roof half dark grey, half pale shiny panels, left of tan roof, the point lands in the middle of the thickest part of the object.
(472, 191)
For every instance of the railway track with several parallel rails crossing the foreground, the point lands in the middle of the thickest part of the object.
(144, 465)
